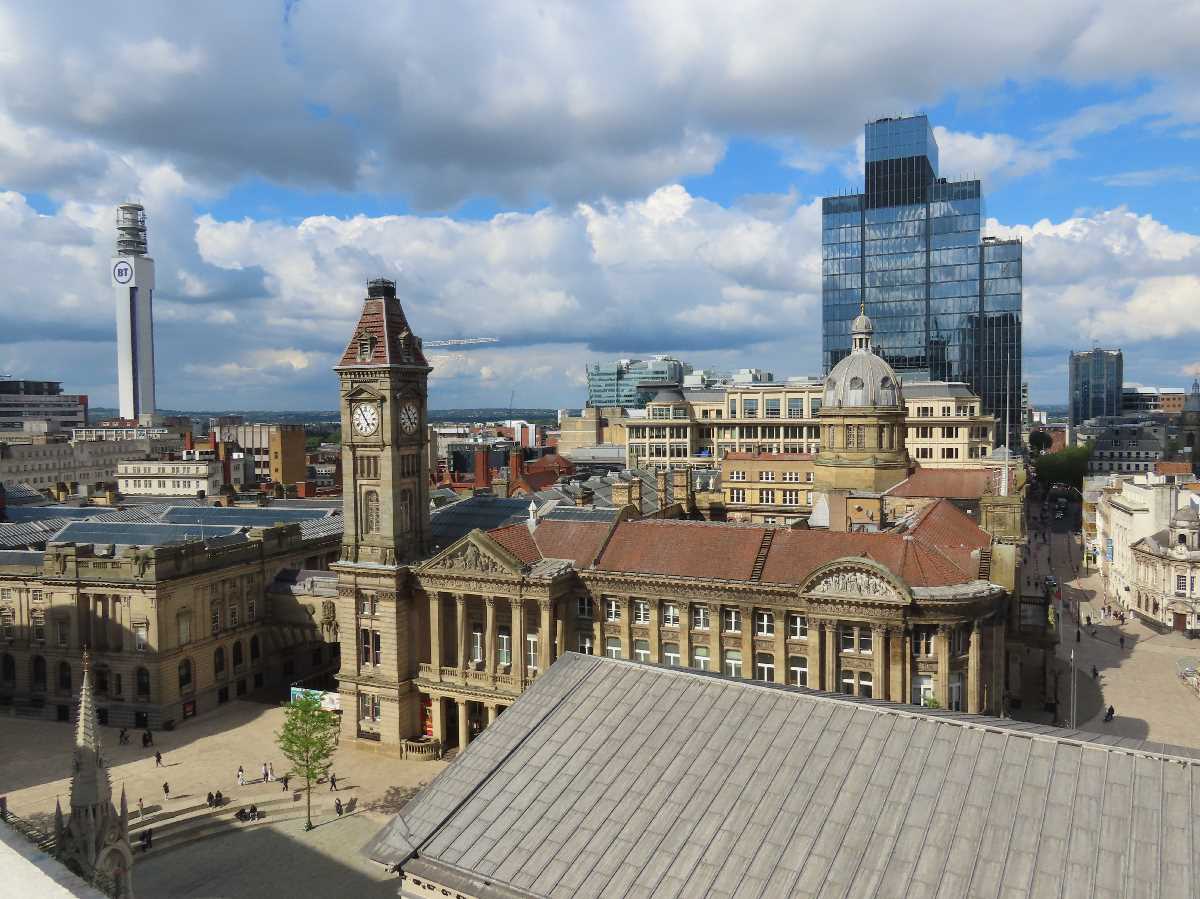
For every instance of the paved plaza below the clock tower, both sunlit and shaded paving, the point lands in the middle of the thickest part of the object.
(203, 756)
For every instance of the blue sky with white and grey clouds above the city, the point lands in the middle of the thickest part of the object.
(583, 182)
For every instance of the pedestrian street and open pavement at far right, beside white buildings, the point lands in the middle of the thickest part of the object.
(1139, 680)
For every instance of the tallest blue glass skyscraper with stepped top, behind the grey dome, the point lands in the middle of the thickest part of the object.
(946, 305)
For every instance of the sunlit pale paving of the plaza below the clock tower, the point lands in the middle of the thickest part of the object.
(199, 757)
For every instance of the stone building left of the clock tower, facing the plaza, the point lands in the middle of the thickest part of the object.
(175, 631)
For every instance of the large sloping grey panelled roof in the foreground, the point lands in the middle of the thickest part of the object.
(614, 778)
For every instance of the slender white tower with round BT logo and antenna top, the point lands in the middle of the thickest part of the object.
(134, 285)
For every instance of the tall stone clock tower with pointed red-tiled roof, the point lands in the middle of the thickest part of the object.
(386, 496)
